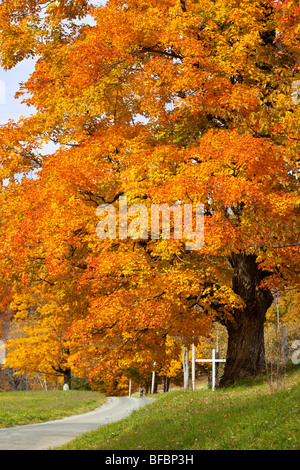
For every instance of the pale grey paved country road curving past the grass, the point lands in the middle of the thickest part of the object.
(42, 436)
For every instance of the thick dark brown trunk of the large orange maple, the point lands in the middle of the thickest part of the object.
(246, 352)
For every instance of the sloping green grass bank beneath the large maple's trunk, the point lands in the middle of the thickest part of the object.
(247, 416)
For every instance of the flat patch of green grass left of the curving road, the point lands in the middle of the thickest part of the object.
(18, 408)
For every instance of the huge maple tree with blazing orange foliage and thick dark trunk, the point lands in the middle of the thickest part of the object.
(161, 101)
